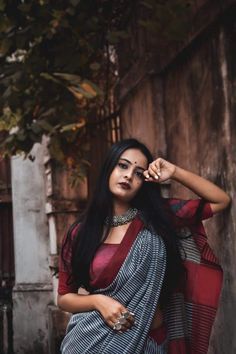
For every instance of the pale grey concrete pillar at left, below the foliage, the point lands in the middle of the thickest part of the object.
(33, 290)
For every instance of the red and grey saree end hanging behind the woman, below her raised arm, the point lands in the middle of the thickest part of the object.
(191, 312)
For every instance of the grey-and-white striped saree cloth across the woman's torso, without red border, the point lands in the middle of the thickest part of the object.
(137, 286)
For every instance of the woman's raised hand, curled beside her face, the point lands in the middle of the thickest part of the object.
(159, 170)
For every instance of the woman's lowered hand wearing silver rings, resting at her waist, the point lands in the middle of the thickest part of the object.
(113, 312)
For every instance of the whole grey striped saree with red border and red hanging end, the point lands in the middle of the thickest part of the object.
(189, 316)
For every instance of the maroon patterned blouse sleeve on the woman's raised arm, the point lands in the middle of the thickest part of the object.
(186, 210)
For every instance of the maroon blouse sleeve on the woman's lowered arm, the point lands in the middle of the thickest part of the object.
(66, 283)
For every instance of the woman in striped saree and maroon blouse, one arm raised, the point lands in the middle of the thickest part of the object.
(138, 256)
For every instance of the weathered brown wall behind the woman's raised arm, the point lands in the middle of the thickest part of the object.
(186, 112)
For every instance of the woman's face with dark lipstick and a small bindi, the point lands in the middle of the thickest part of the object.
(127, 177)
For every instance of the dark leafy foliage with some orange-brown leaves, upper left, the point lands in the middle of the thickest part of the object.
(58, 68)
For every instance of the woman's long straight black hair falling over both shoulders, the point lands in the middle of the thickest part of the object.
(153, 209)
